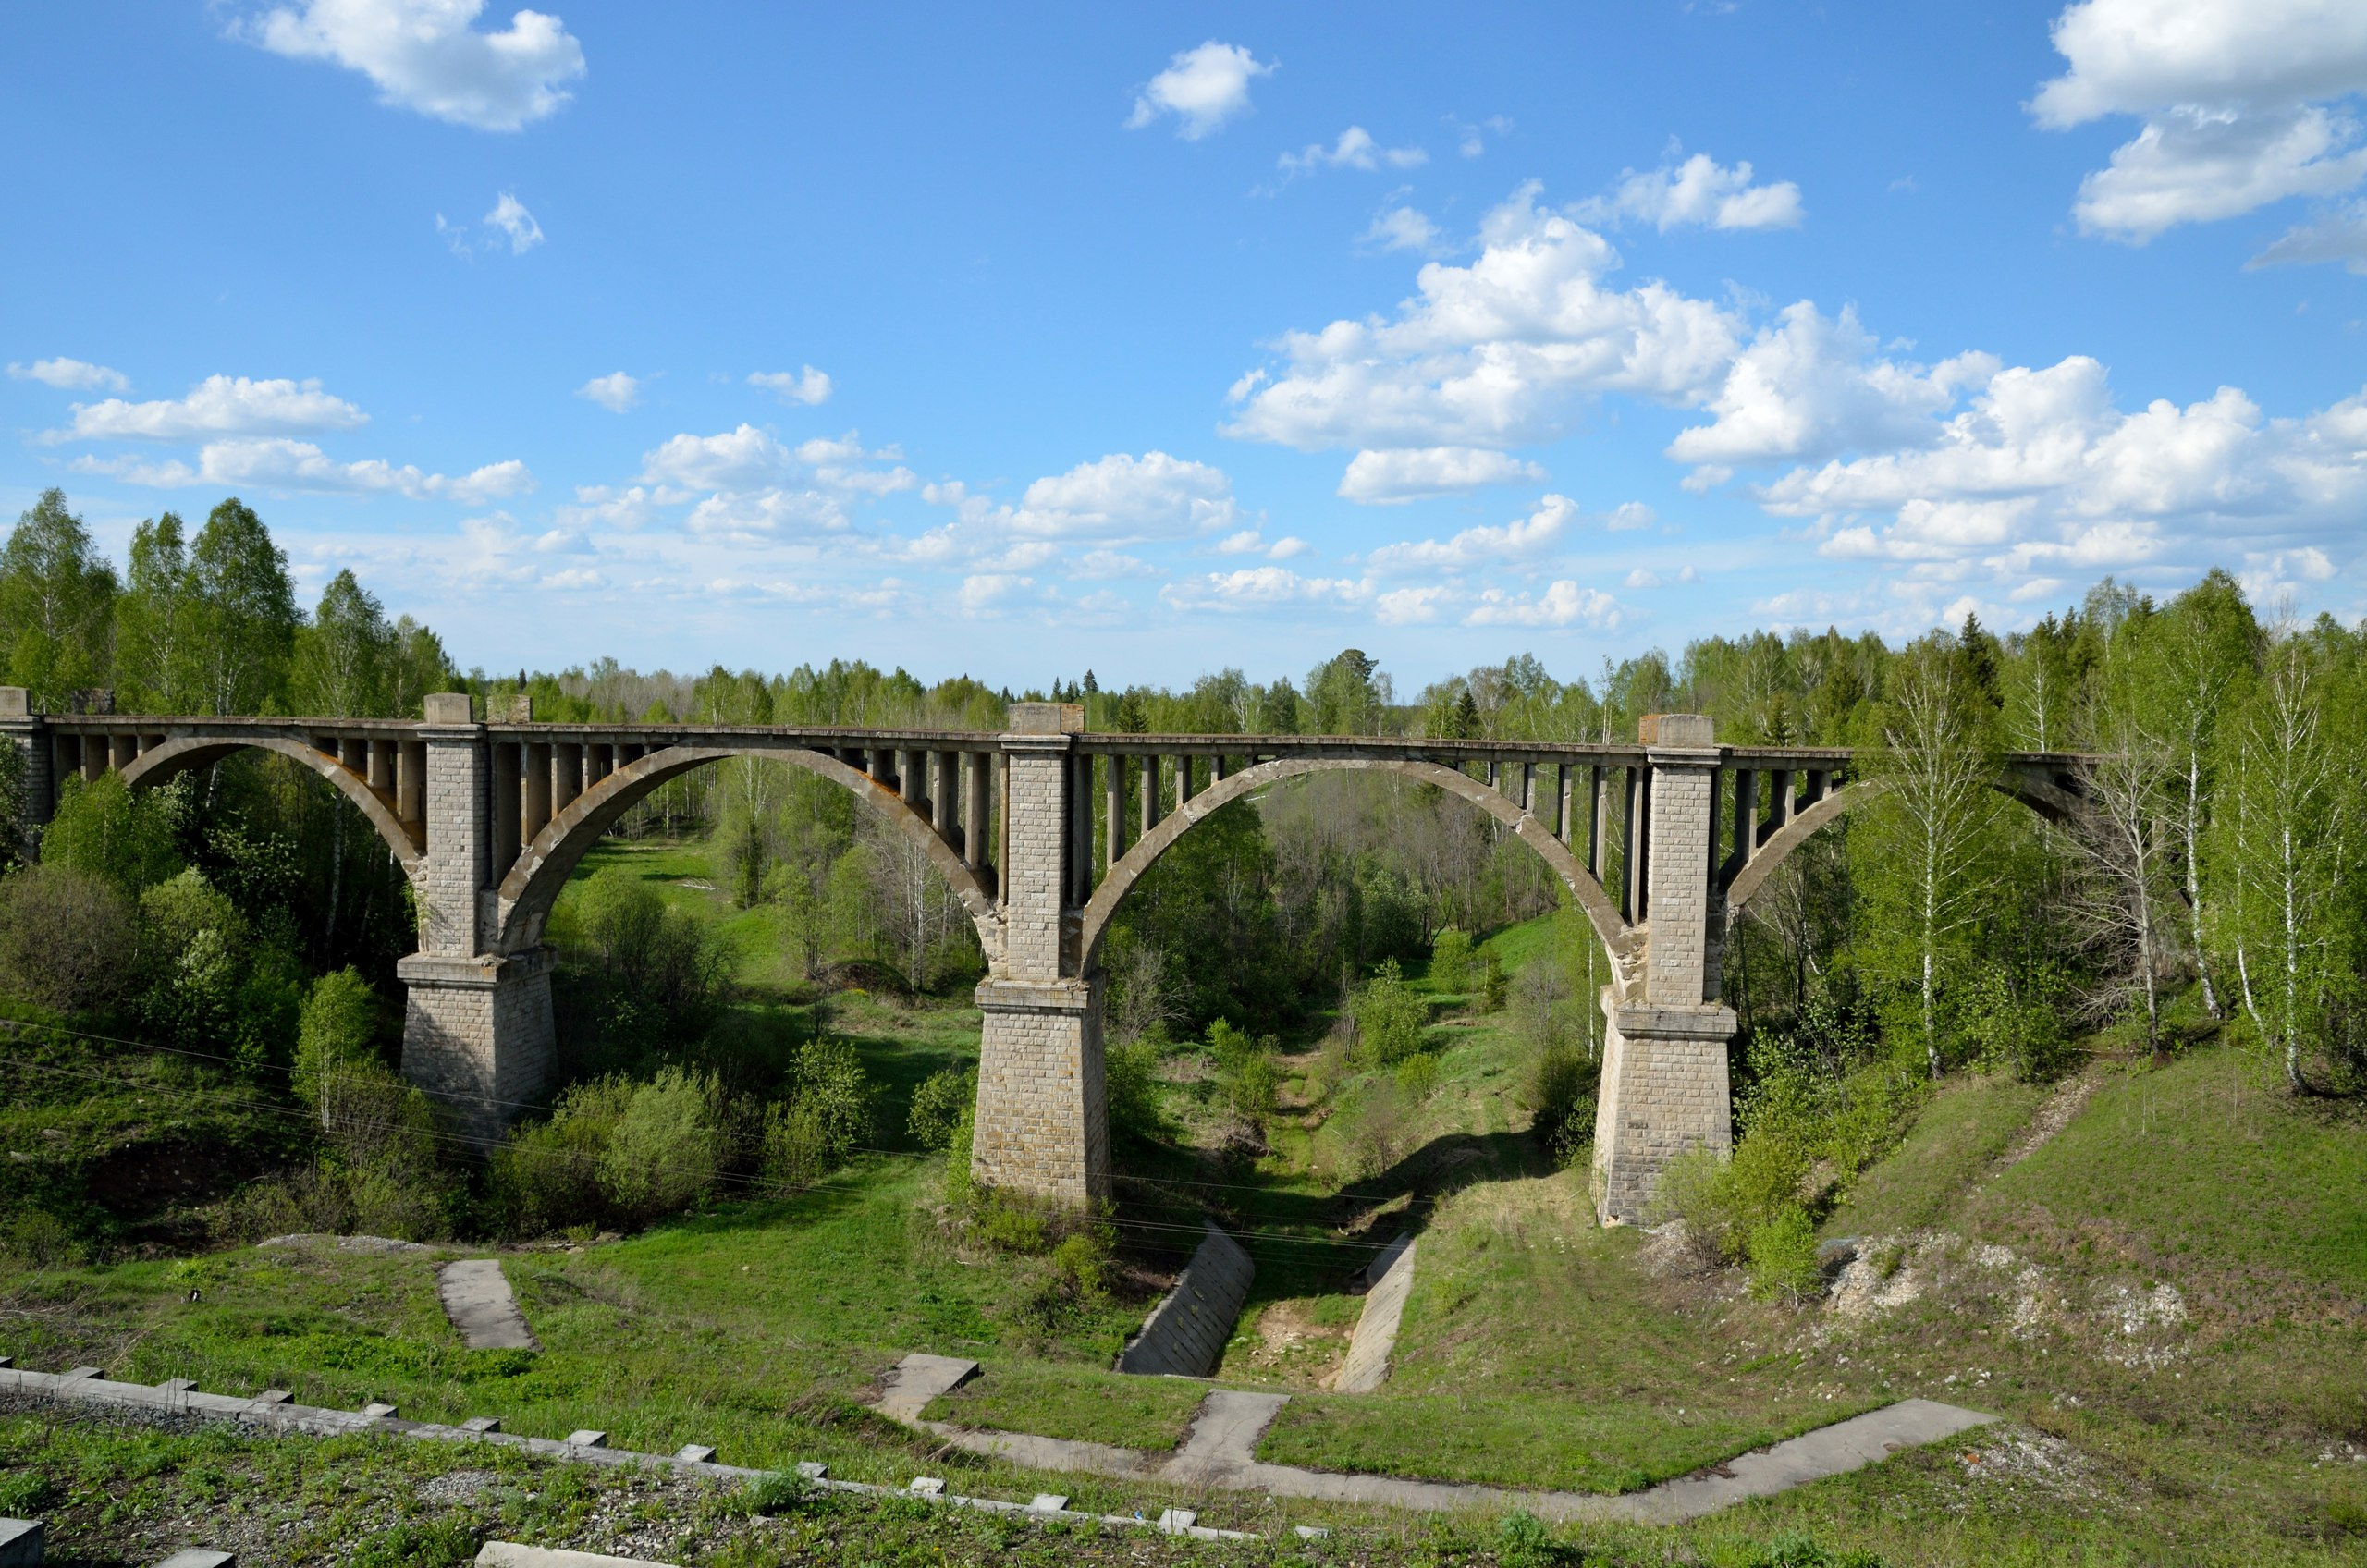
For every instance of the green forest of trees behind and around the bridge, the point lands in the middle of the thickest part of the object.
(243, 925)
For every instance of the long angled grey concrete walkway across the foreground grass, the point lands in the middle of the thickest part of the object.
(1220, 1453)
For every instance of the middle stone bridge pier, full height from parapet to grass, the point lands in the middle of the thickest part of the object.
(1043, 1105)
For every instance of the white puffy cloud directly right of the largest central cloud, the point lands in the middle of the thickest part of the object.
(1812, 387)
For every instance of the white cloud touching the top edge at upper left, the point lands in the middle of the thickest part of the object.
(425, 56)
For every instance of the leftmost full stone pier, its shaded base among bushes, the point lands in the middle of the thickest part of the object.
(477, 1027)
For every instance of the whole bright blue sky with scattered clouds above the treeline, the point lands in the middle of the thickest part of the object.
(1024, 340)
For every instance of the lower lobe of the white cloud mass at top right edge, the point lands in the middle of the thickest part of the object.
(2202, 165)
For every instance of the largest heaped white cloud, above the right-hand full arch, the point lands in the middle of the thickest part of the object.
(1492, 354)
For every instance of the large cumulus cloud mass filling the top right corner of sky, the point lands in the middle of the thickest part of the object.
(2233, 103)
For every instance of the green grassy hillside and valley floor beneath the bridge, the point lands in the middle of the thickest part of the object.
(2158, 1275)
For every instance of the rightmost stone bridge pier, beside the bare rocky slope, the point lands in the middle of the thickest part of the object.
(1665, 1084)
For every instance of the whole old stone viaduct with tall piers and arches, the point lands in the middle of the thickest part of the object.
(1040, 833)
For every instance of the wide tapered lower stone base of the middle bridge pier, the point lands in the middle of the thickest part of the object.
(1043, 1100)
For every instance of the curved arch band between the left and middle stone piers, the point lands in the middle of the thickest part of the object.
(543, 868)
